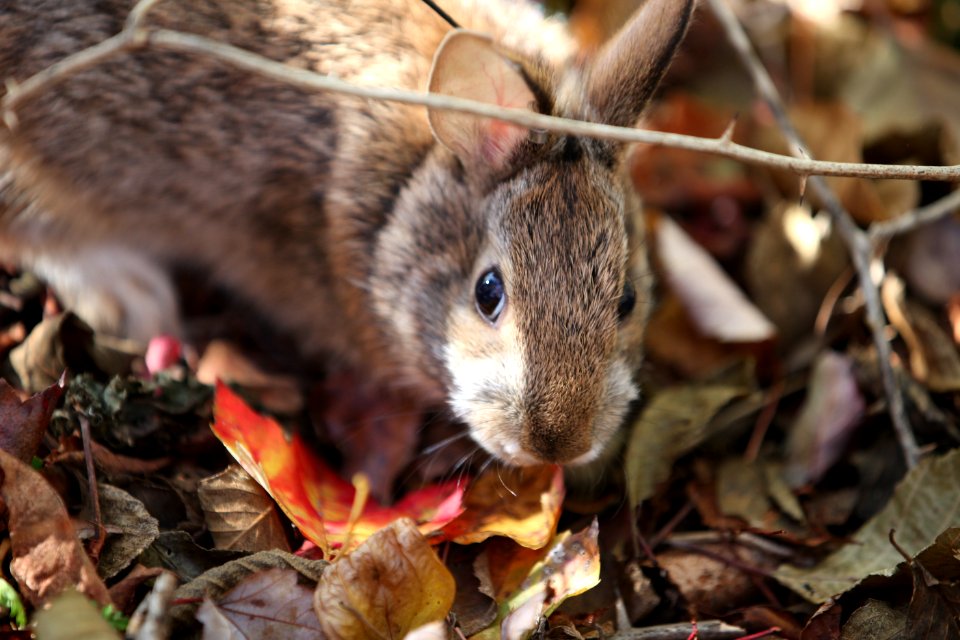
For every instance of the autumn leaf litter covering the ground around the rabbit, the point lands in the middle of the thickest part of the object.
(760, 493)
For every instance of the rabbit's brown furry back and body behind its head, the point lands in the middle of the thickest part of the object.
(171, 158)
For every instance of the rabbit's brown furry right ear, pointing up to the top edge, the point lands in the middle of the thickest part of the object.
(625, 72)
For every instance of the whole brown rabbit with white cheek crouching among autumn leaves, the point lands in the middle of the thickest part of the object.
(464, 262)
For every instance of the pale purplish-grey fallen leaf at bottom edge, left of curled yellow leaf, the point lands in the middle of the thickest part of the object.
(266, 604)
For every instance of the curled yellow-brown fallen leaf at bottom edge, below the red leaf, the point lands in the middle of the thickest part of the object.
(390, 585)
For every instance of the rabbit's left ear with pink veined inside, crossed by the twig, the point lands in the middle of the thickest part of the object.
(468, 65)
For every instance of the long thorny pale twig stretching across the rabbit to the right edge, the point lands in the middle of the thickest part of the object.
(133, 37)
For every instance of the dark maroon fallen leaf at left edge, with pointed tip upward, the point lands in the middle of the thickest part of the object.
(22, 424)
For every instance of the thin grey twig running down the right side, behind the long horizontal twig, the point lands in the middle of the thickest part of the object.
(857, 241)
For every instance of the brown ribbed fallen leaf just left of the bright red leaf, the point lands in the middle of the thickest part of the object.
(239, 513)
